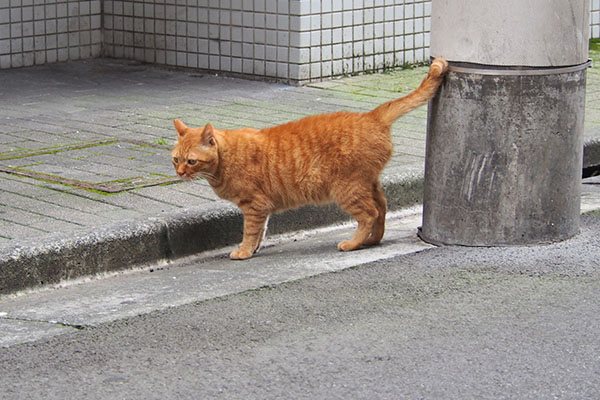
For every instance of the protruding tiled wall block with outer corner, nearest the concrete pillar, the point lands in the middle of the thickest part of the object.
(296, 40)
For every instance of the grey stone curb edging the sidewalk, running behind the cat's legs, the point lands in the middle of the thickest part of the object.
(38, 263)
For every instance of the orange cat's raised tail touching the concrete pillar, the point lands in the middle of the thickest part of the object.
(392, 110)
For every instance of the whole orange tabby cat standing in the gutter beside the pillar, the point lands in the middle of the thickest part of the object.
(319, 159)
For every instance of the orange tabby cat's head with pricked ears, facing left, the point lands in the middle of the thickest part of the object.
(196, 152)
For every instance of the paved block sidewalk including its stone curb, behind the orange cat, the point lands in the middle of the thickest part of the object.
(86, 182)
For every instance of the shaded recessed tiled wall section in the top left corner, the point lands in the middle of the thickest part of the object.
(46, 31)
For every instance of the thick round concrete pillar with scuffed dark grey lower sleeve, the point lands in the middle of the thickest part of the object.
(505, 133)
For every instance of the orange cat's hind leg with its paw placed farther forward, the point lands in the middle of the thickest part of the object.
(359, 203)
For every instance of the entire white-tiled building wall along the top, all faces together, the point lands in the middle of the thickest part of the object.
(290, 40)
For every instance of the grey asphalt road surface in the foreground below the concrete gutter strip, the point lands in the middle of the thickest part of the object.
(442, 323)
